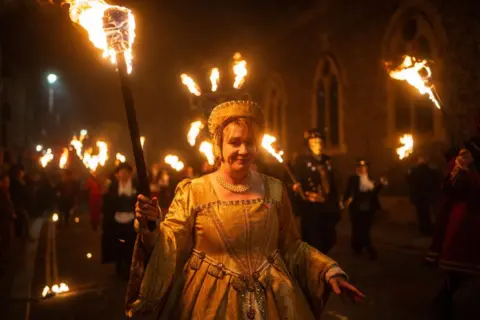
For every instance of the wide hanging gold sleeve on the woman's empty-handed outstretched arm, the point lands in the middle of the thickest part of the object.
(311, 268)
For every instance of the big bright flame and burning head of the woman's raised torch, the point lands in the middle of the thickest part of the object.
(110, 28)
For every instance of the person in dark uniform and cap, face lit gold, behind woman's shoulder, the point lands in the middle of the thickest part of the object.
(319, 209)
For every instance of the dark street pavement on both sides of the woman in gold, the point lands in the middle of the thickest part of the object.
(397, 284)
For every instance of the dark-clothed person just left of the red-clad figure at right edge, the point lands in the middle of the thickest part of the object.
(424, 184)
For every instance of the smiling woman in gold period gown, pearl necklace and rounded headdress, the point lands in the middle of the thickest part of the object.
(228, 247)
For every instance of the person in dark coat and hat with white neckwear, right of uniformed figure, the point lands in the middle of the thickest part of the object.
(361, 199)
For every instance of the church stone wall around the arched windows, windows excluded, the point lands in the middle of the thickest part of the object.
(353, 33)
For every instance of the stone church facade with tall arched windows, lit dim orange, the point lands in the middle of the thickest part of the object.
(326, 70)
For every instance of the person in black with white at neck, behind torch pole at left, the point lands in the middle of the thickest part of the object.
(118, 238)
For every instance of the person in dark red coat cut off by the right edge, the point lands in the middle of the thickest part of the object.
(456, 243)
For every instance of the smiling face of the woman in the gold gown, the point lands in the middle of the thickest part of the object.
(238, 146)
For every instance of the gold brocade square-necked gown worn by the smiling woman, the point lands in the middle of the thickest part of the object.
(232, 260)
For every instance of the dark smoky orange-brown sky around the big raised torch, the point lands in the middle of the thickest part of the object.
(172, 37)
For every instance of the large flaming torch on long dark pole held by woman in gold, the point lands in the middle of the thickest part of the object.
(112, 29)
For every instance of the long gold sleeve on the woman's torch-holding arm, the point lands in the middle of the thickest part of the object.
(172, 245)
